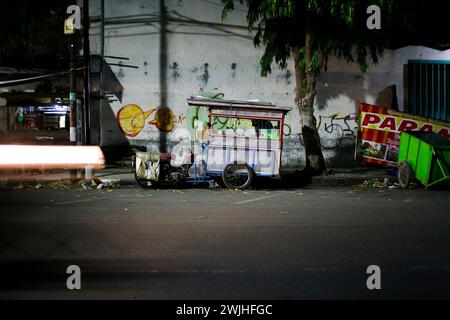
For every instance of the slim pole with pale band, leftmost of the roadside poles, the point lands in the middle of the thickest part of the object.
(73, 100)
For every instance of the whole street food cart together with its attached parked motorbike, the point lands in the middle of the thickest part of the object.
(240, 140)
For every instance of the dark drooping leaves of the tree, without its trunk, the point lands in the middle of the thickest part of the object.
(339, 27)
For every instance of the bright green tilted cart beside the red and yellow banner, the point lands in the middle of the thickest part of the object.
(424, 156)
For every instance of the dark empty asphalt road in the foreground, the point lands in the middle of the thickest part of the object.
(311, 243)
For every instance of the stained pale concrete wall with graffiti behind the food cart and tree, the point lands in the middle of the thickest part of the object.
(204, 55)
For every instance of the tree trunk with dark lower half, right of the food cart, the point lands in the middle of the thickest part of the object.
(315, 163)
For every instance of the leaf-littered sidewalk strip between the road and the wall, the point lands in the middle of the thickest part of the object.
(125, 176)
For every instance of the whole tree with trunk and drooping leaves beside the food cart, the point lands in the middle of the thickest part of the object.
(311, 31)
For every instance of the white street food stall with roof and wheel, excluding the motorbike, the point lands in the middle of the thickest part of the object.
(245, 140)
